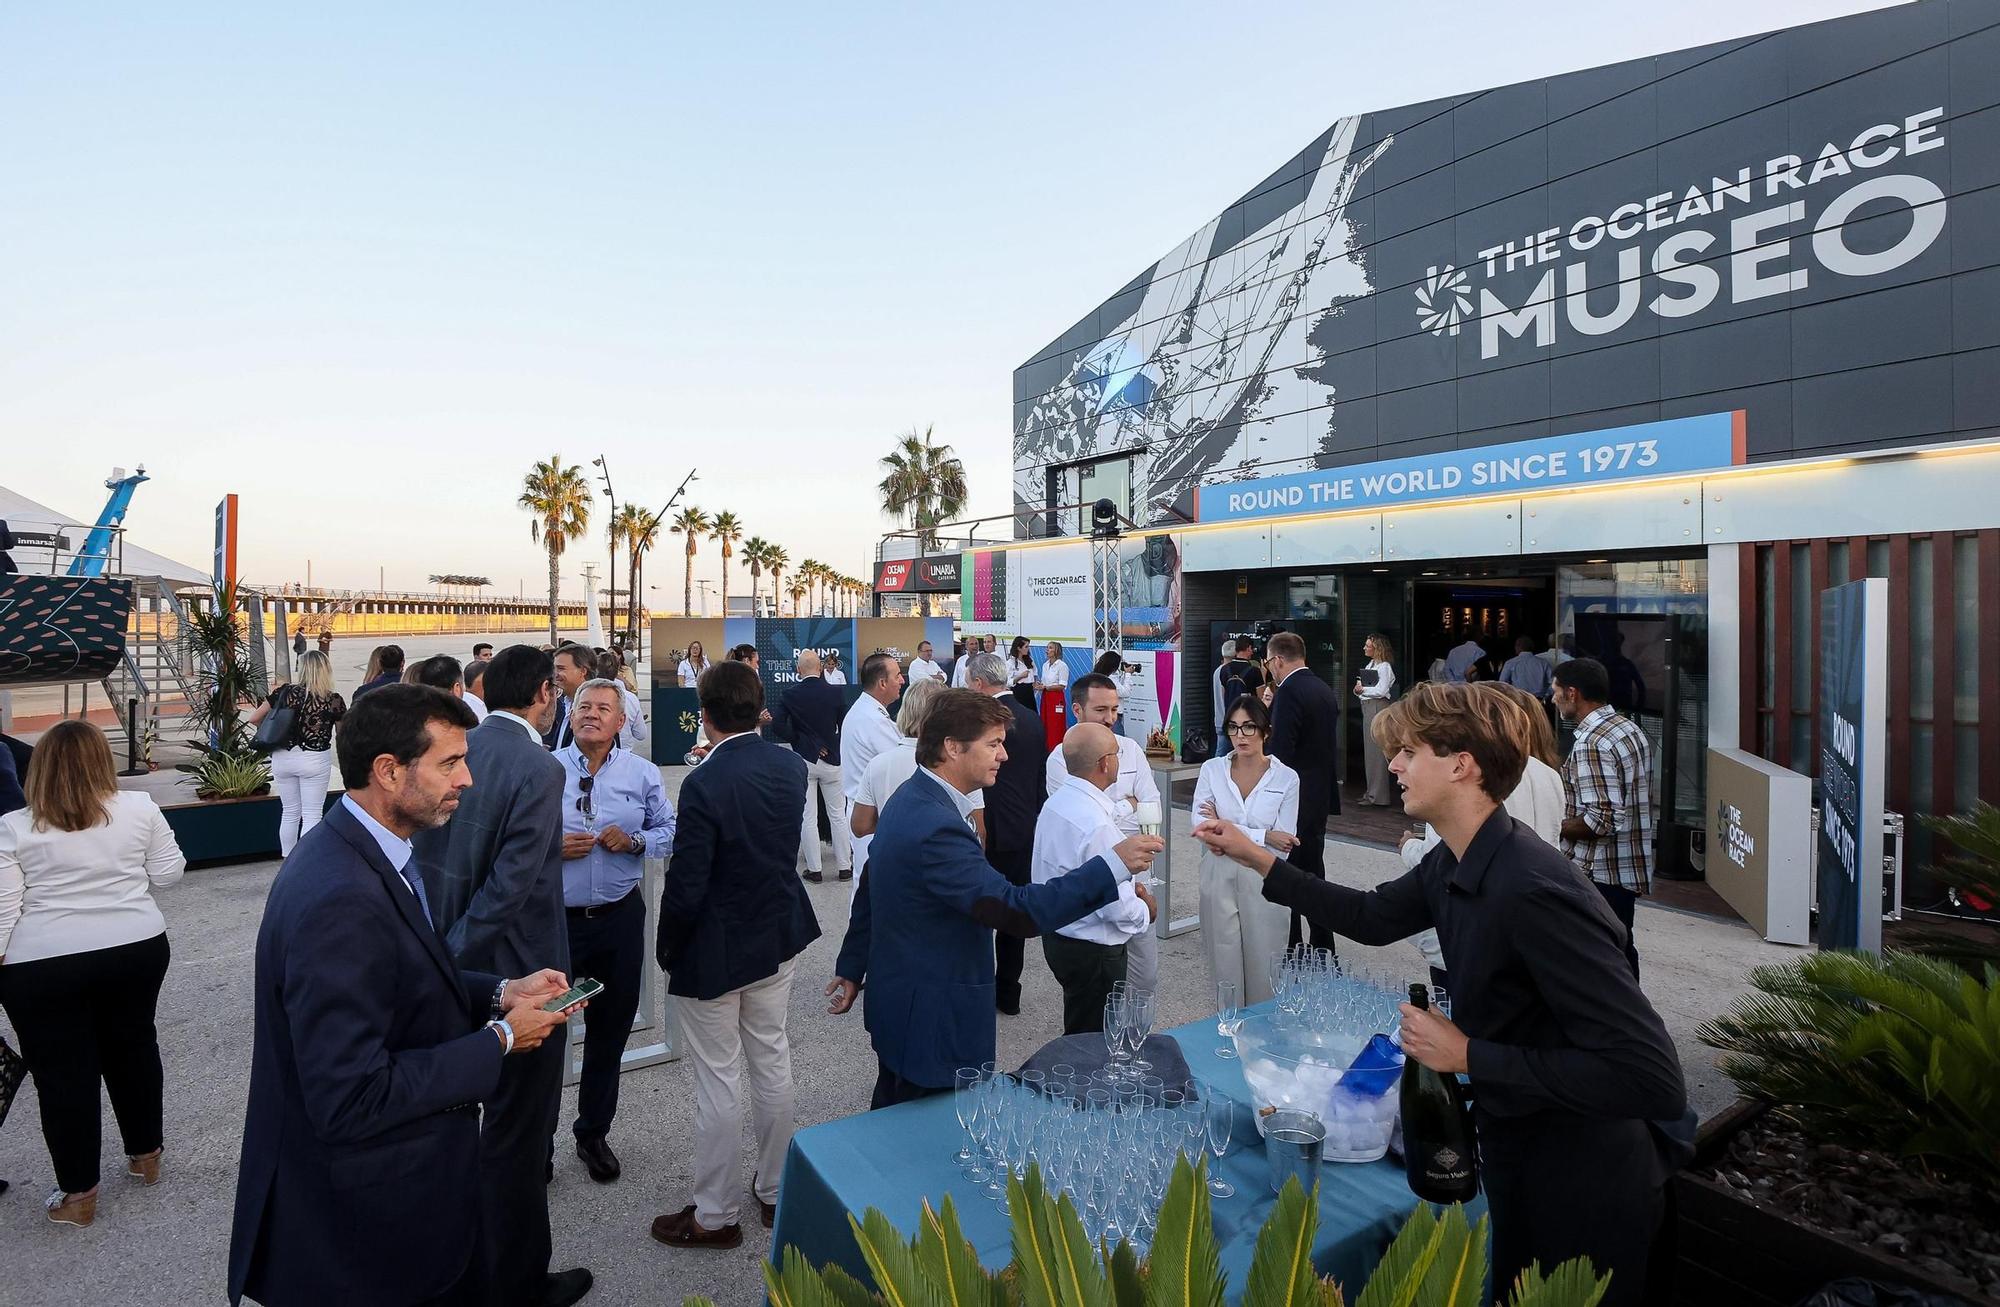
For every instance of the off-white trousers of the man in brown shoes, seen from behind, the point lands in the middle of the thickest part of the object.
(745, 1024)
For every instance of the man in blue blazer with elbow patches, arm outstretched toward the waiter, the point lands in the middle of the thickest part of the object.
(921, 934)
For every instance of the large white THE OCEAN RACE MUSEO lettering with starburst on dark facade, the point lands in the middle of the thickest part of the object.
(1637, 259)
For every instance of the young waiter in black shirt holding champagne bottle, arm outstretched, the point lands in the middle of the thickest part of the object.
(1569, 1060)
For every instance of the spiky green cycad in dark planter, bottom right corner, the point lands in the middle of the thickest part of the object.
(1869, 1136)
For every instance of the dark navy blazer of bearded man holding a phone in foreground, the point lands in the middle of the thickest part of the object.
(361, 1164)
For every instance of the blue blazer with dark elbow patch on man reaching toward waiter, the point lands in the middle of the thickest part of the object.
(921, 936)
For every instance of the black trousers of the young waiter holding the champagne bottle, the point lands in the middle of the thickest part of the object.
(1563, 1188)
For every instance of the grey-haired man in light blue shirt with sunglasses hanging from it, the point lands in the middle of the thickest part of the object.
(615, 816)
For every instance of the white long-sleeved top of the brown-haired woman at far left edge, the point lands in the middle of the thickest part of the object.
(77, 892)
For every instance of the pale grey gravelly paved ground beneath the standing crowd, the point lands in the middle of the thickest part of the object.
(169, 1244)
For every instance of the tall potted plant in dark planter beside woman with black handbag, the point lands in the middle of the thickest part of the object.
(235, 814)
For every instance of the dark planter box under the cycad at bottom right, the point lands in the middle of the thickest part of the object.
(1747, 1256)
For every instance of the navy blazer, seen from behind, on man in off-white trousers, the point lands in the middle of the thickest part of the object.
(733, 908)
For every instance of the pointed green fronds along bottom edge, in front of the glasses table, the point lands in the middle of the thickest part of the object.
(1437, 1258)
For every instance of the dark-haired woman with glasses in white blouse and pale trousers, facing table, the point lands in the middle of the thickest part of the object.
(1259, 794)
